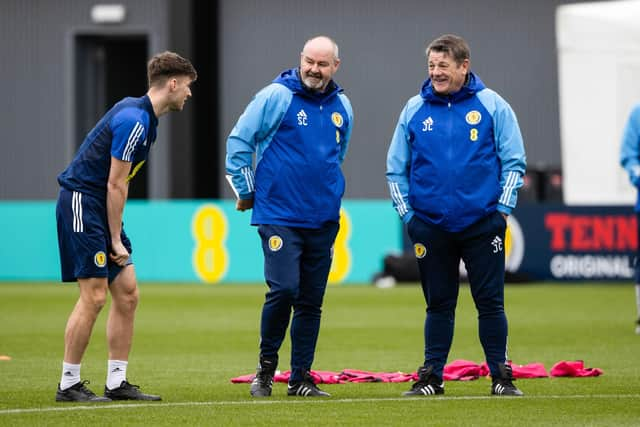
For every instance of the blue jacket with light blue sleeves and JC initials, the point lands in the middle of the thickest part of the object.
(455, 159)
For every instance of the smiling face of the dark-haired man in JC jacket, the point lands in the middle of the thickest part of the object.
(447, 76)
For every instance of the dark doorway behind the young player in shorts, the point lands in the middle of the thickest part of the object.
(107, 69)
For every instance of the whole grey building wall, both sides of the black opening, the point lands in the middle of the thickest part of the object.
(381, 46)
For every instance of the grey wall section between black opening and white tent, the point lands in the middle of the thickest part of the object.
(382, 47)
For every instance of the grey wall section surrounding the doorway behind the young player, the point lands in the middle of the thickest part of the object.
(36, 67)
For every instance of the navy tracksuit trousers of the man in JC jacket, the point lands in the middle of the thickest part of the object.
(481, 247)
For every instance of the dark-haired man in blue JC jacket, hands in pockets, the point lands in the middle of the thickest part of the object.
(454, 166)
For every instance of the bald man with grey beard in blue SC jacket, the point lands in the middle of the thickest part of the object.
(298, 127)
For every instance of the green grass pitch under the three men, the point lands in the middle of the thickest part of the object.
(191, 339)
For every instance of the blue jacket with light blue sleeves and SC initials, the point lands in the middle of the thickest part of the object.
(299, 138)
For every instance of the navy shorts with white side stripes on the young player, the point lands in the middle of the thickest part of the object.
(83, 237)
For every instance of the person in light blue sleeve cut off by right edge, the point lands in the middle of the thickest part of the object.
(630, 161)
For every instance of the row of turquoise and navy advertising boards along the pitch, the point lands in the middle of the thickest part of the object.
(211, 242)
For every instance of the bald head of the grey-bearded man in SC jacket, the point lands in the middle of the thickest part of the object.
(318, 62)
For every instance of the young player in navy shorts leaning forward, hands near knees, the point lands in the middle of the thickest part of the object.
(94, 248)
